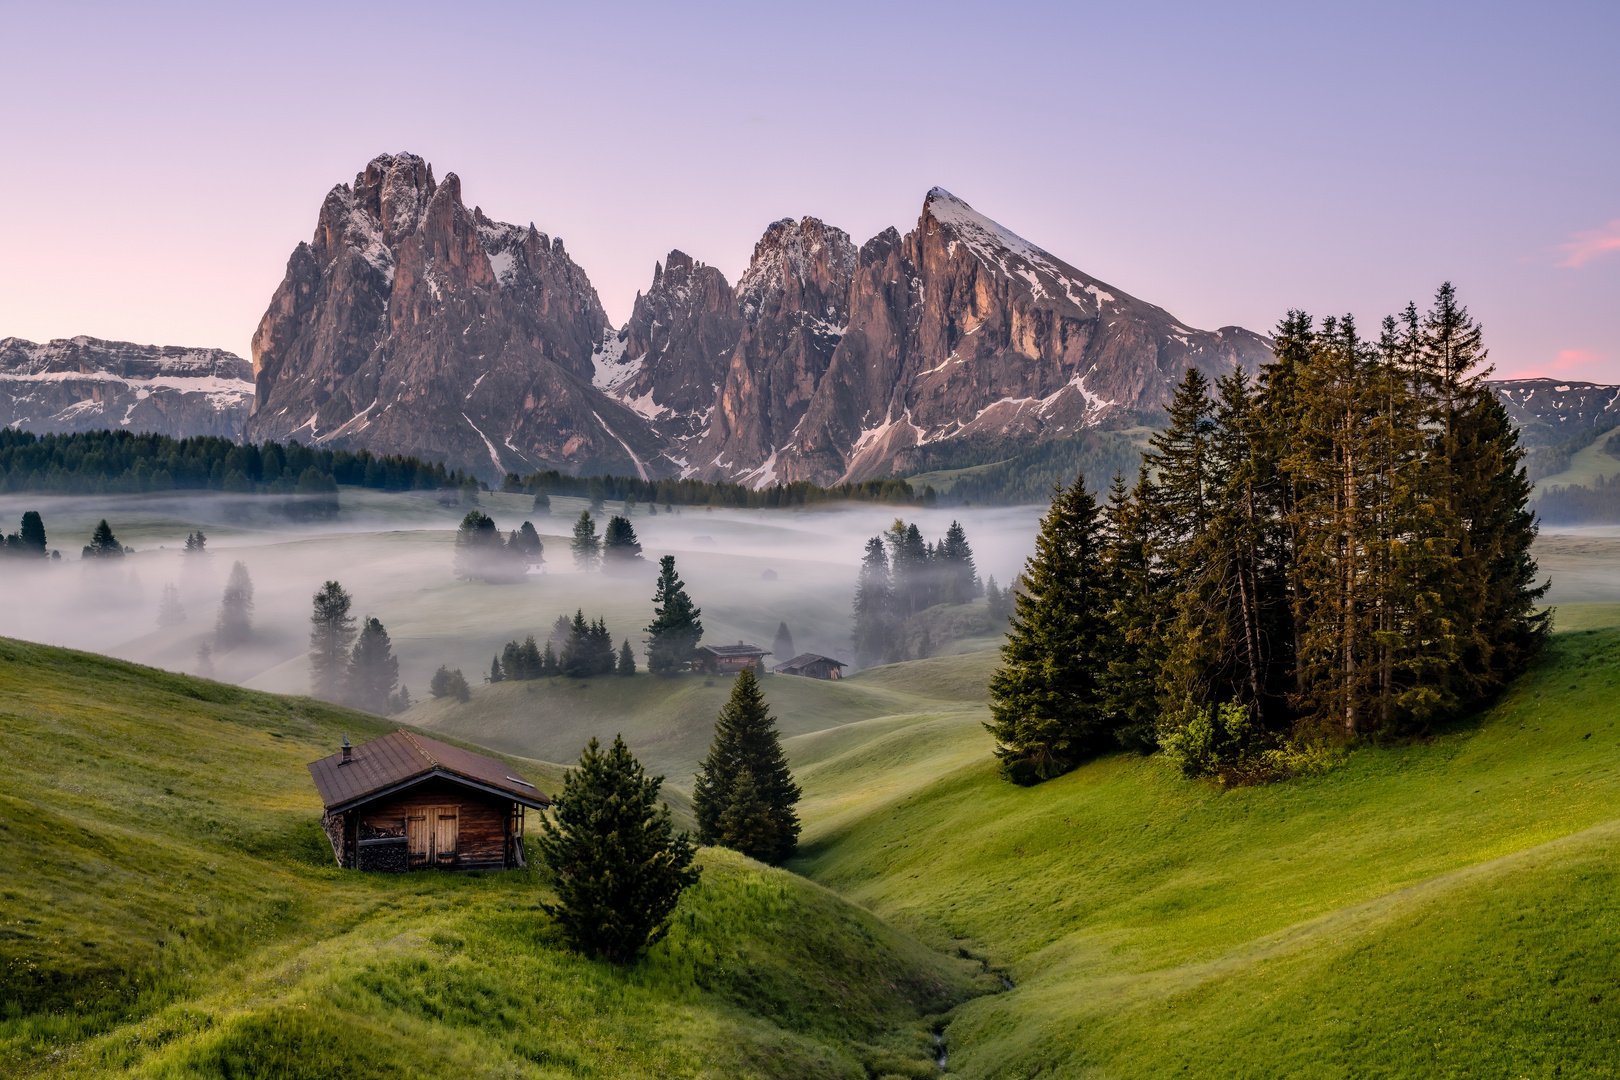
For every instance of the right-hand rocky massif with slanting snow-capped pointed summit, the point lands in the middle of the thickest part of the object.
(851, 364)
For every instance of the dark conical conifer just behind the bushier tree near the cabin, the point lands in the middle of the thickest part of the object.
(746, 741)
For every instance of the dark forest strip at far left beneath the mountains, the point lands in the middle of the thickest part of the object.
(121, 462)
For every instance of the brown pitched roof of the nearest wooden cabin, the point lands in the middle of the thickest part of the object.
(403, 760)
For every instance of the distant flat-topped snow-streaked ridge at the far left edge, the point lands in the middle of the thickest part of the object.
(88, 385)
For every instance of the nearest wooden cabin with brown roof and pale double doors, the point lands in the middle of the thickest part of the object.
(409, 802)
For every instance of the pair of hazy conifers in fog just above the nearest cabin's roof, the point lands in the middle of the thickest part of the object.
(352, 666)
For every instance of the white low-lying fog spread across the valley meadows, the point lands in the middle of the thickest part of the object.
(394, 555)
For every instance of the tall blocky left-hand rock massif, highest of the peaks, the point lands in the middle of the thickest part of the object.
(414, 325)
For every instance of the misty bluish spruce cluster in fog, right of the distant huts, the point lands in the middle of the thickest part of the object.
(902, 574)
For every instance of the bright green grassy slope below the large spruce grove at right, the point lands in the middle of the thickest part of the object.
(1444, 909)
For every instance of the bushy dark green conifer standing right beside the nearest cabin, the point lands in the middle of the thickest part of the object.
(615, 856)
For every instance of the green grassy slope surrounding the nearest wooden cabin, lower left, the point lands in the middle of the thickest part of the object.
(173, 911)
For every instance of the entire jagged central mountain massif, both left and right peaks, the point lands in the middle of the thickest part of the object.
(412, 325)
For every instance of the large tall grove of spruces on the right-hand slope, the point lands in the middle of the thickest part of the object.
(1336, 550)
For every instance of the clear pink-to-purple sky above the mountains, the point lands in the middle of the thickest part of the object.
(1226, 164)
